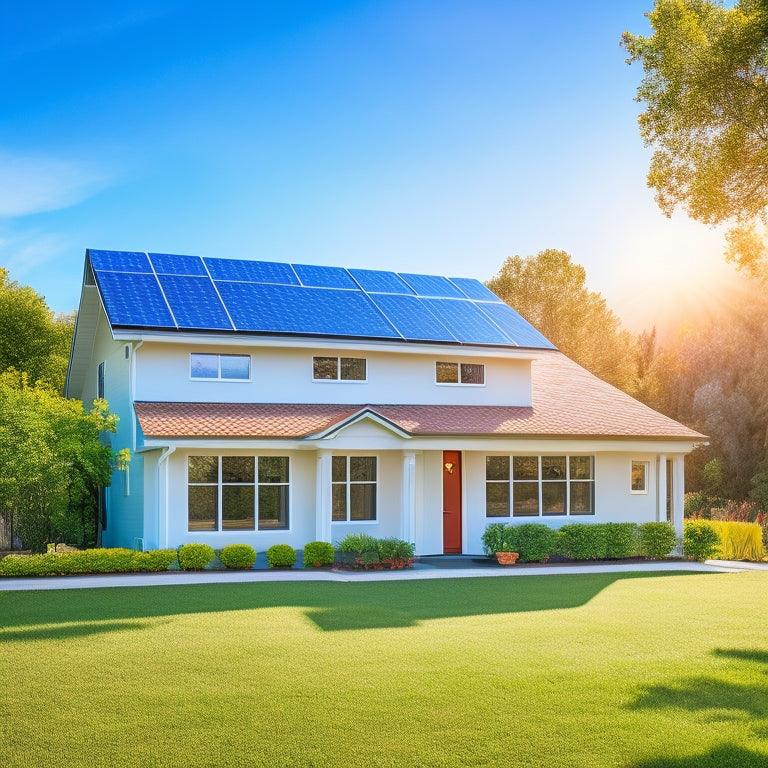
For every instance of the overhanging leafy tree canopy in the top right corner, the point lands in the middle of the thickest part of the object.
(705, 90)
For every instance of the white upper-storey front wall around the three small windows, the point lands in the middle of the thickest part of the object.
(285, 376)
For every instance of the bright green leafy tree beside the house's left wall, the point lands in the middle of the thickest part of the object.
(52, 461)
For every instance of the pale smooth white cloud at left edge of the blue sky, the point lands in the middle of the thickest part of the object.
(37, 184)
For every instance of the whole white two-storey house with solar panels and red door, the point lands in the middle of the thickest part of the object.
(270, 403)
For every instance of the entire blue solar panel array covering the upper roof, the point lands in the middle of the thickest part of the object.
(190, 293)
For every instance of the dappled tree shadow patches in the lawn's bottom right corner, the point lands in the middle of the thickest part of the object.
(725, 701)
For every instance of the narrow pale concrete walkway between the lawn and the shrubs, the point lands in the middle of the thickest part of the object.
(419, 571)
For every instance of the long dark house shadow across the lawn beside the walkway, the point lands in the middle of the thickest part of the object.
(332, 607)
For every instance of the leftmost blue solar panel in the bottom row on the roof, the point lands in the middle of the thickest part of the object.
(134, 299)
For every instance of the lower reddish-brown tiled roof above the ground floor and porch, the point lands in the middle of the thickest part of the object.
(568, 401)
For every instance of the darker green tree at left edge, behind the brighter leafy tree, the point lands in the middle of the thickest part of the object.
(32, 338)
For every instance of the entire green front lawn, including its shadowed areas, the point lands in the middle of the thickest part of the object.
(638, 671)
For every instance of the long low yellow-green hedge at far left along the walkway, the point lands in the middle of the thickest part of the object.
(87, 561)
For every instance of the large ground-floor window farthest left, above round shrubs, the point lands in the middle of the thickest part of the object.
(232, 493)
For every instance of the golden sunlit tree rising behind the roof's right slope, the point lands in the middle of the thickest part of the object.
(550, 292)
